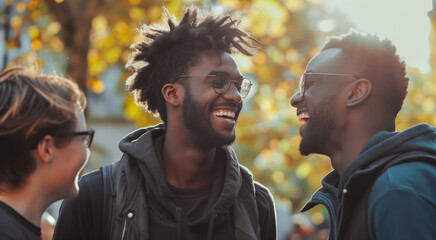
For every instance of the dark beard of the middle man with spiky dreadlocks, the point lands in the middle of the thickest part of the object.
(196, 117)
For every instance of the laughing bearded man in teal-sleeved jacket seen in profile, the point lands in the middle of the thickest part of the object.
(382, 185)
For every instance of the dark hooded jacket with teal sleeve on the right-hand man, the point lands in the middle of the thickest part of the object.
(387, 192)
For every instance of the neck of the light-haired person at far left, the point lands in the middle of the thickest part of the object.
(28, 201)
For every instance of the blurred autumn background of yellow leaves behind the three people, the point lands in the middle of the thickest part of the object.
(88, 40)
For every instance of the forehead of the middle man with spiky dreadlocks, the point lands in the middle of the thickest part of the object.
(211, 60)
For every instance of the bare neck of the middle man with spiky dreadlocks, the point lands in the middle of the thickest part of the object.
(186, 165)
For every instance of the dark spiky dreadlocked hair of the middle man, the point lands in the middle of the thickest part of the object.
(168, 51)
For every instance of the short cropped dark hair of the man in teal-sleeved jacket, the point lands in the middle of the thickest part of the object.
(377, 61)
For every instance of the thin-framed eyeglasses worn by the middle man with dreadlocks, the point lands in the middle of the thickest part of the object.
(221, 83)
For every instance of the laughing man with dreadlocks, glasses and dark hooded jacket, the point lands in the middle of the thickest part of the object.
(179, 179)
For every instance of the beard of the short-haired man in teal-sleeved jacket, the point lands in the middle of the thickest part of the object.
(319, 128)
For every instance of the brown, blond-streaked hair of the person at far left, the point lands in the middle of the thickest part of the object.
(32, 105)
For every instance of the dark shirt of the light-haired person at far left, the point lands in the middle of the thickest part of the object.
(13, 226)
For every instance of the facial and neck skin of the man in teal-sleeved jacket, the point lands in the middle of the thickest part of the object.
(358, 116)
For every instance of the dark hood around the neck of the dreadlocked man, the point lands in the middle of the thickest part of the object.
(140, 145)
